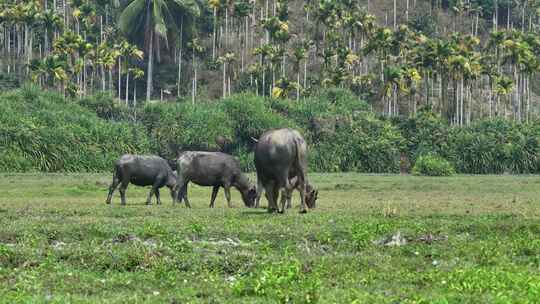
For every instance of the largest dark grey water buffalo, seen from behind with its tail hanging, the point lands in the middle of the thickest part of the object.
(280, 156)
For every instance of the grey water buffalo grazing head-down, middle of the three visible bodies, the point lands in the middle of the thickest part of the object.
(213, 169)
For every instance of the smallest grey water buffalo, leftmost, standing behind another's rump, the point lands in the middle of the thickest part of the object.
(142, 170)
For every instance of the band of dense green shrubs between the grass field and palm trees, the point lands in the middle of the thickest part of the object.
(44, 132)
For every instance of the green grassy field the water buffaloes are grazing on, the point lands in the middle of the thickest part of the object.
(469, 239)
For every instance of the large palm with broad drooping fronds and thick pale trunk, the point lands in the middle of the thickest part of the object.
(157, 20)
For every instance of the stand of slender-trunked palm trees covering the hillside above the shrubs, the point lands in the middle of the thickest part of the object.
(285, 49)
